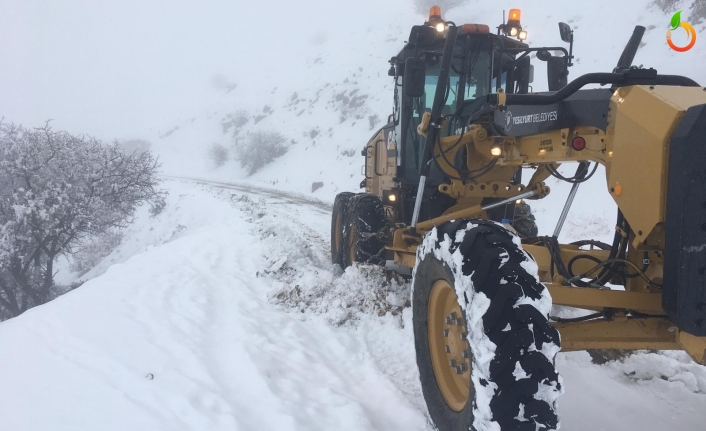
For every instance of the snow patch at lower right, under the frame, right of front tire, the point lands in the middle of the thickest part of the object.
(606, 398)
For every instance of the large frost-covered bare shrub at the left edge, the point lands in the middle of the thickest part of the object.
(56, 191)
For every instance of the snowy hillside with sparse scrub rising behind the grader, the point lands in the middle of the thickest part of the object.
(335, 93)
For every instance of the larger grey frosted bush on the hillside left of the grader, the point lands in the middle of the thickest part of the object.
(259, 149)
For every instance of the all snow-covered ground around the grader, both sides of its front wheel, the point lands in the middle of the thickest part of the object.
(223, 312)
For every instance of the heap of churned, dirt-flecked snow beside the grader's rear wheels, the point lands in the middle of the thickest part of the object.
(304, 279)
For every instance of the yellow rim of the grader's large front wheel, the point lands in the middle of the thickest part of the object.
(448, 346)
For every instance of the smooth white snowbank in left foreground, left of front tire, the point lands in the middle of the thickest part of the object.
(193, 313)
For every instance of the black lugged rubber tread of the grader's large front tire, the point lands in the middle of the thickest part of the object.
(494, 262)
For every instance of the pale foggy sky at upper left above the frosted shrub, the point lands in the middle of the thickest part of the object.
(116, 68)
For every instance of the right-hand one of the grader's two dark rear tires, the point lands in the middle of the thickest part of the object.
(364, 230)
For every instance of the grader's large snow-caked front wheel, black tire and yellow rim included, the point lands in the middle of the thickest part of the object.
(511, 382)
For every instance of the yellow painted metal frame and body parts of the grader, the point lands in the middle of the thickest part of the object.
(634, 151)
